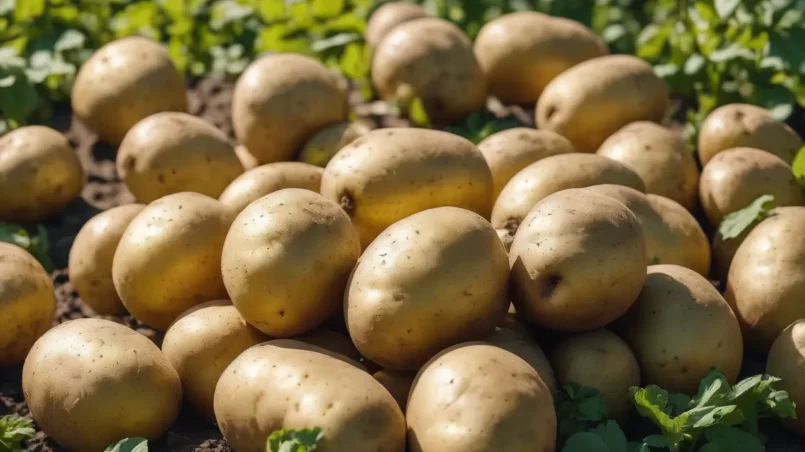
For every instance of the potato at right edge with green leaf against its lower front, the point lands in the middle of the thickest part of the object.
(736, 177)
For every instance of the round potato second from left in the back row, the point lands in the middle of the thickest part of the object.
(281, 100)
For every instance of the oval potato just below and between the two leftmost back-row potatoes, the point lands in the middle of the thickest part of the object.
(173, 152)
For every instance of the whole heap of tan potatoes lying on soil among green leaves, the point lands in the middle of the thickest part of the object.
(389, 287)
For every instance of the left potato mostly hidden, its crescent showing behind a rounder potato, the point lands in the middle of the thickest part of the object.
(90, 263)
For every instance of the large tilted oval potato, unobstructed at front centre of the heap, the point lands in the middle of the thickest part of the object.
(432, 280)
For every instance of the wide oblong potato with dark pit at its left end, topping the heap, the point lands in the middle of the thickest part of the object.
(391, 174)
